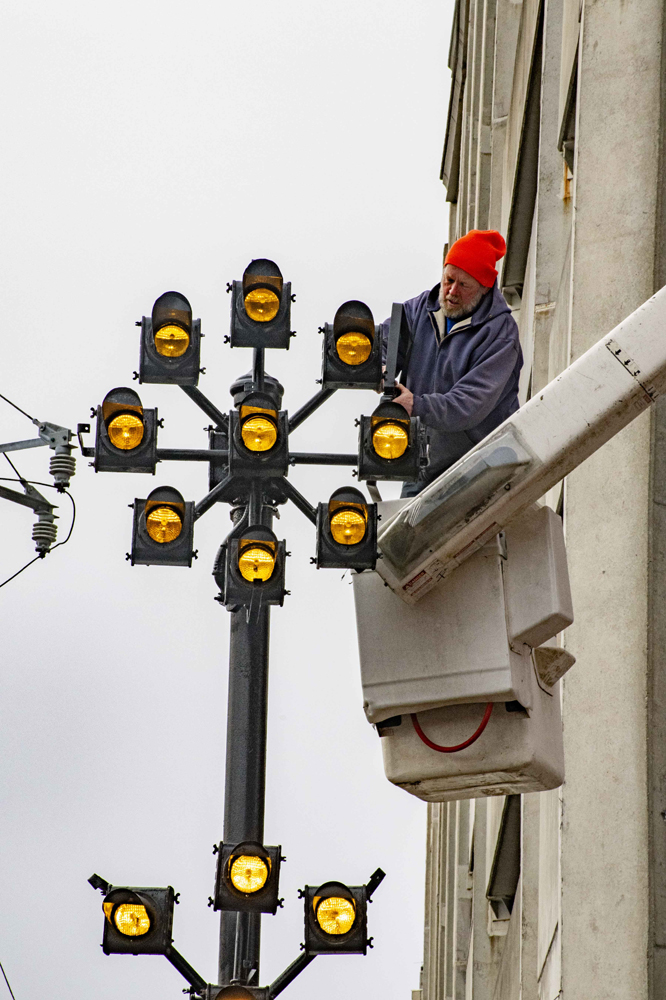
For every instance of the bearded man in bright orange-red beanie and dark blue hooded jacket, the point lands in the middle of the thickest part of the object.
(461, 362)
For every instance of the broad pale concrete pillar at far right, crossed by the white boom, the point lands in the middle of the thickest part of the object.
(605, 876)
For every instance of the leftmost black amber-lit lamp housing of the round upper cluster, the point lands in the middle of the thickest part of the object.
(126, 434)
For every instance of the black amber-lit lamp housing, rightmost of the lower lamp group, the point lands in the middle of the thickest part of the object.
(336, 919)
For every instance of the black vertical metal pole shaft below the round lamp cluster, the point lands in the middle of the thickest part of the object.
(245, 782)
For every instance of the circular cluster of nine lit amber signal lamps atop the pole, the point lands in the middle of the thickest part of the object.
(255, 439)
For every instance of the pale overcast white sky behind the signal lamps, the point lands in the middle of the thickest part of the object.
(152, 146)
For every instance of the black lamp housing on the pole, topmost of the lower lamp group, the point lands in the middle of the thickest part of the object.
(247, 877)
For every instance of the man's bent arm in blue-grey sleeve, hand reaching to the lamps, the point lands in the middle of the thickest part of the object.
(473, 396)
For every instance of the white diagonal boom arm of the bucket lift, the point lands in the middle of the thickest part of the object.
(573, 416)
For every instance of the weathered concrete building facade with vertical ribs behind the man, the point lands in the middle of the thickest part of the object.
(555, 136)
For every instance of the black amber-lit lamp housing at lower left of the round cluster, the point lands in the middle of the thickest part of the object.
(163, 529)
